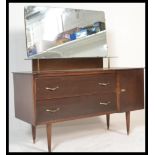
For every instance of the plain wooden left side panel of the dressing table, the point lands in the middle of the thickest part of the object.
(24, 97)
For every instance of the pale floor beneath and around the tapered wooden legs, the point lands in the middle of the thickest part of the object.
(83, 135)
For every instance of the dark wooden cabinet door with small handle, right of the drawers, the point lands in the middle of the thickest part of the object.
(131, 89)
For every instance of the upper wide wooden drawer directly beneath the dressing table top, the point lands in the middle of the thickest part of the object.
(56, 87)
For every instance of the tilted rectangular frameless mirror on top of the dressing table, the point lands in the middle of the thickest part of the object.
(64, 33)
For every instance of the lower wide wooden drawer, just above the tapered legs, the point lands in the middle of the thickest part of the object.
(66, 108)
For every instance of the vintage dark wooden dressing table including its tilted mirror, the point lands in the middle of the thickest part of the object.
(70, 87)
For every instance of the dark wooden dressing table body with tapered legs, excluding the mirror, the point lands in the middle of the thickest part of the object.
(74, 88)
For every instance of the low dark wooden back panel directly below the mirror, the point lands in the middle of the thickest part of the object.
(60, 64)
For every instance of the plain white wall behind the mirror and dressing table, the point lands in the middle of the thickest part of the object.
(125, 25)
